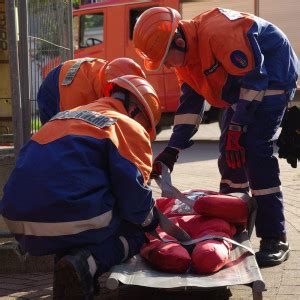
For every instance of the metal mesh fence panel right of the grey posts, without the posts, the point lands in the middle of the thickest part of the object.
(50, 42)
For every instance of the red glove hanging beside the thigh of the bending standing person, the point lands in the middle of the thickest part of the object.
(235, 153)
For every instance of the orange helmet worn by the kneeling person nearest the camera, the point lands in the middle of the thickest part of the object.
(145, 95)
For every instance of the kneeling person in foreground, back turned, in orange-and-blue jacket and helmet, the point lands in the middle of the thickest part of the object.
(79, 189)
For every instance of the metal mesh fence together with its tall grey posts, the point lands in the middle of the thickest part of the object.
(39, 38)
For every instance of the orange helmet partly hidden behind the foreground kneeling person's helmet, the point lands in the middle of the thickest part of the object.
(121, 66)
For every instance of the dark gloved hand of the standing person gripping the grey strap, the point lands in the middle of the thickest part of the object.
(168, 157)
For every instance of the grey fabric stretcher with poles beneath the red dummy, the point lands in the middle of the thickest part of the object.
(242, 269)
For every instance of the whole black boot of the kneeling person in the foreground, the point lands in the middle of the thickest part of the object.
(72, 277)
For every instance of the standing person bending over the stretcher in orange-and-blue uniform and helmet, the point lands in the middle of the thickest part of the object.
(242, 63)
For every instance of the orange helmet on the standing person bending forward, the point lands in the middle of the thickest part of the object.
(153, 34)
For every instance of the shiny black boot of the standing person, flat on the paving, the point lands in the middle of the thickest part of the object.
(272, 252)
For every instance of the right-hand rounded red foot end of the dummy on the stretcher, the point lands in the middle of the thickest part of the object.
(210, 256)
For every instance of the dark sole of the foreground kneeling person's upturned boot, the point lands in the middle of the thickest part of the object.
(68, 283)
